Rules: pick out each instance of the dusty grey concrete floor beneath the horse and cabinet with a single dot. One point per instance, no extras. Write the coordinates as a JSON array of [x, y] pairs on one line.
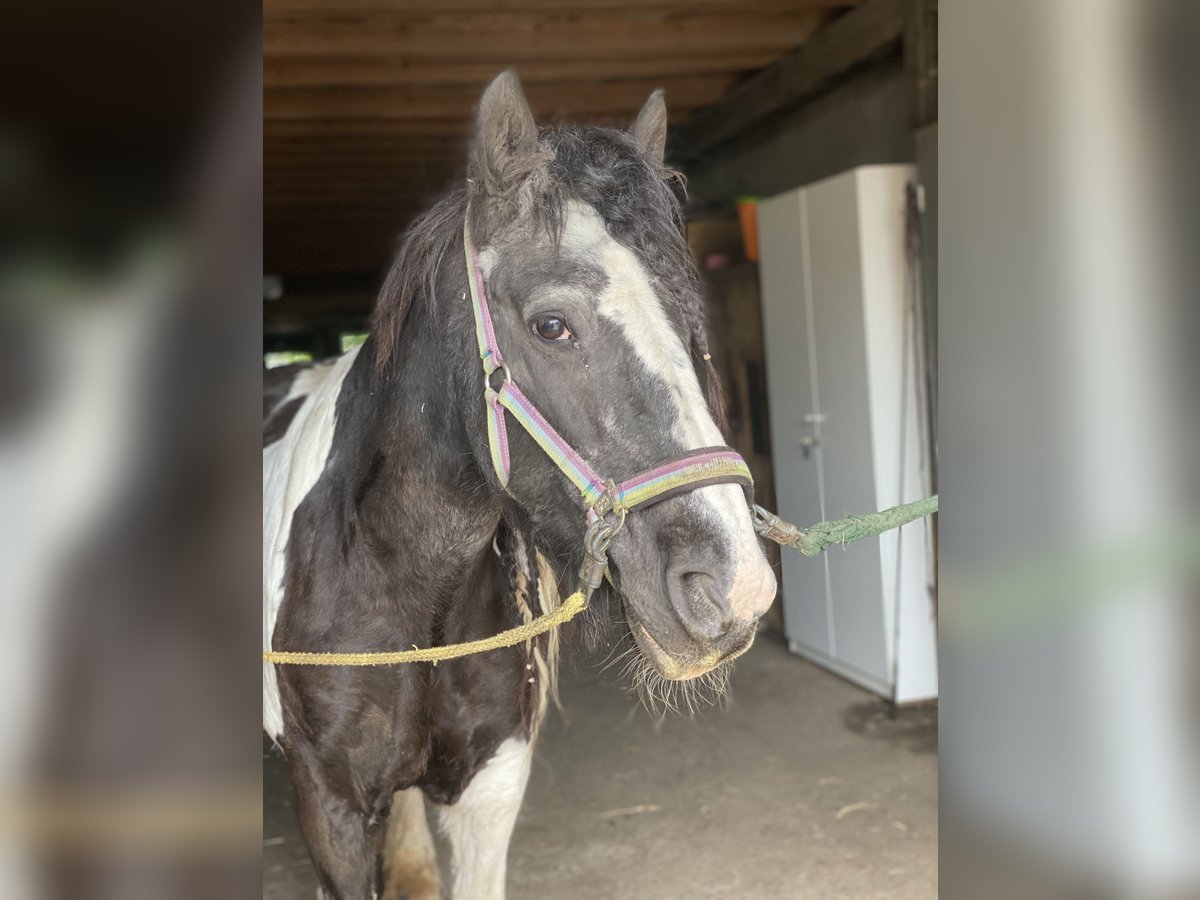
[[803, 788]]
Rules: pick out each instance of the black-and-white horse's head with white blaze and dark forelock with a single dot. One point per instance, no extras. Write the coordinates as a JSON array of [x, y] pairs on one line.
[[579, 242]]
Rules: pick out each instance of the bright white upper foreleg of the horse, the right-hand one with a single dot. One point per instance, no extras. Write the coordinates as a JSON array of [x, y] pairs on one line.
[[481, 824]]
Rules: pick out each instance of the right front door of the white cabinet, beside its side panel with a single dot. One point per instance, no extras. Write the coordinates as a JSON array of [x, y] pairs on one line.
[[837, 285]]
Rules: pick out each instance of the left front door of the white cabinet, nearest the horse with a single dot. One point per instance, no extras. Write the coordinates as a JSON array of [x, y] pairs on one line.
[[788, 339]]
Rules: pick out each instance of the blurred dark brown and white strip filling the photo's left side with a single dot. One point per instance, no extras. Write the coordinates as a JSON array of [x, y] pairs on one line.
[[130, 269]]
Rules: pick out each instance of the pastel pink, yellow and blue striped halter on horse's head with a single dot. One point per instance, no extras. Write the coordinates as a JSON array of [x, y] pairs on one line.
[[599, 496]]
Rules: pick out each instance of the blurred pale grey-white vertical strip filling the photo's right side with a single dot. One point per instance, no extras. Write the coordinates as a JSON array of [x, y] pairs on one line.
[[1070, 537]]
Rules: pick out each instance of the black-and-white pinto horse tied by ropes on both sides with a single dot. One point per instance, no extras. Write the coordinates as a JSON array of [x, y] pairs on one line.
[[400, 511]]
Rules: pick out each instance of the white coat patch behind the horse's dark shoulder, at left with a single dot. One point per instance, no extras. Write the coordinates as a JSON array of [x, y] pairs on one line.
[[291, 467]]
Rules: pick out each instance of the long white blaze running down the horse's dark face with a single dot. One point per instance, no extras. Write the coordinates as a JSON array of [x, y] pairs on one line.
[[629, 301]]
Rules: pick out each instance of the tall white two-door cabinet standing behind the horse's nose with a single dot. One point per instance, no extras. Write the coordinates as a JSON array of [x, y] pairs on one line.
[[848, 425]]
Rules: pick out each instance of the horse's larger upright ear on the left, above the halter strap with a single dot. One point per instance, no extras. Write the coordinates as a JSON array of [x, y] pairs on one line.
[[506, 145]]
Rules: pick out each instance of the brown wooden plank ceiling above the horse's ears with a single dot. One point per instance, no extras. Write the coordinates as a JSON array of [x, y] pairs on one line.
[[368, 104]]
